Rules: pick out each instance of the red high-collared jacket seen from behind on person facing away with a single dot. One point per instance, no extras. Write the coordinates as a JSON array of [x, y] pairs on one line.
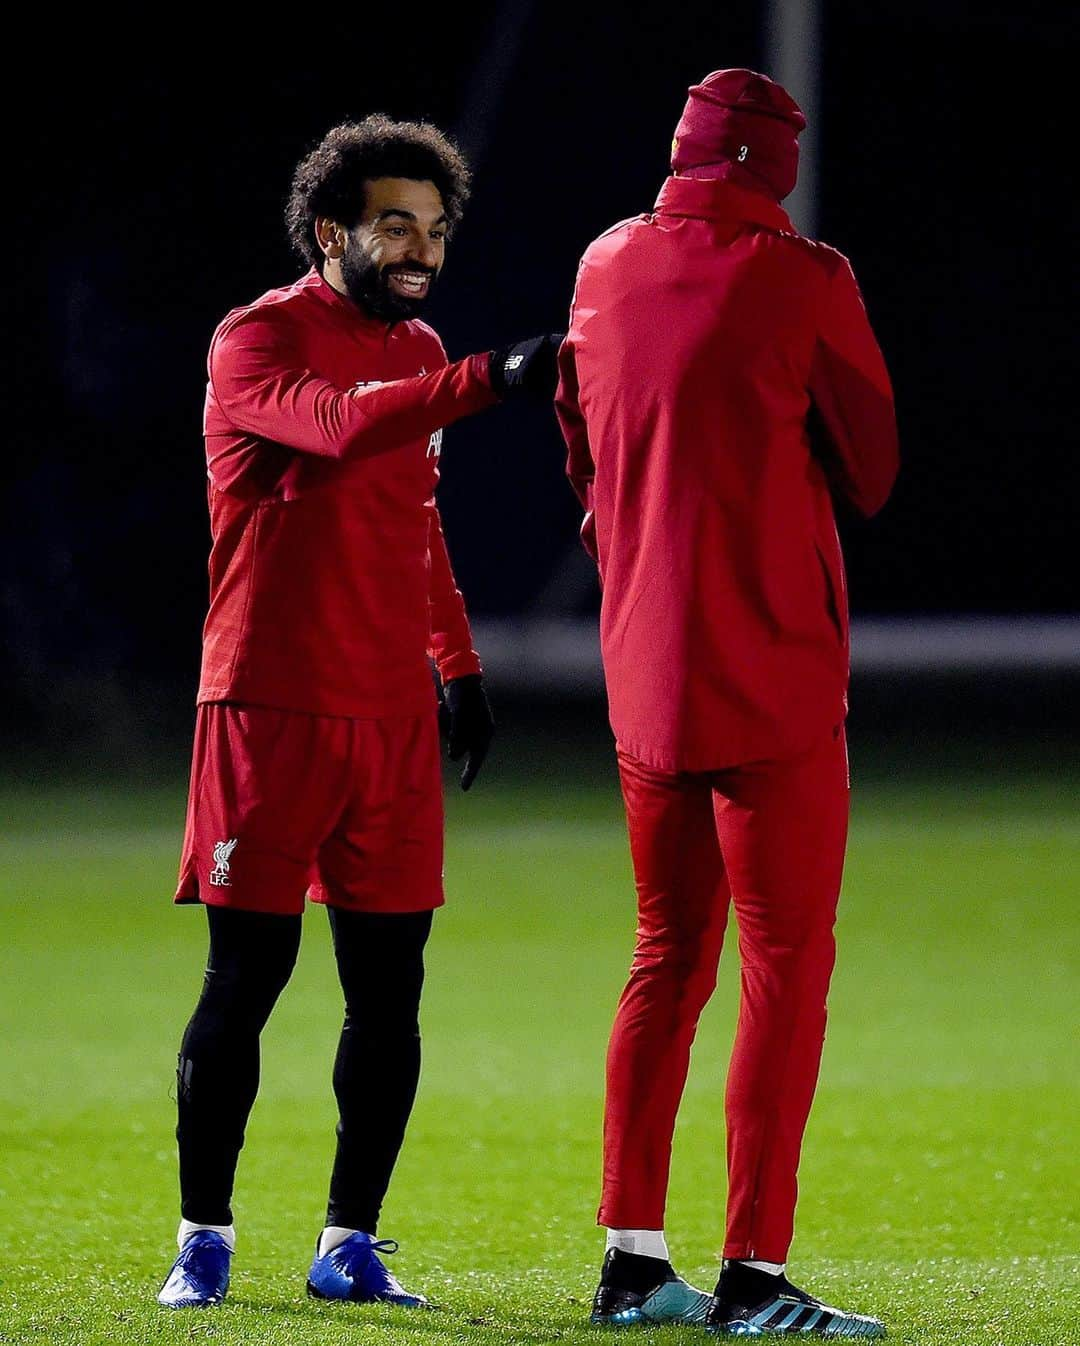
[[704, 340]]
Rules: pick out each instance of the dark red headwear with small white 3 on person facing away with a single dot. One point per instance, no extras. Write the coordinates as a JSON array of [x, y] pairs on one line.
[[741, 127]]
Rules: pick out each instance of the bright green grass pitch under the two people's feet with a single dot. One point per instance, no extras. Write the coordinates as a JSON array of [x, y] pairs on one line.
[[939, 1176]]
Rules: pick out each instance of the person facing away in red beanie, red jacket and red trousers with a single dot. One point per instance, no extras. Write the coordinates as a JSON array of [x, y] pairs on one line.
[[721, 386]]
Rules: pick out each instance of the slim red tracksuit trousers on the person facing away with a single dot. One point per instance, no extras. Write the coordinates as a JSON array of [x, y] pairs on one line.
[[768, 838]]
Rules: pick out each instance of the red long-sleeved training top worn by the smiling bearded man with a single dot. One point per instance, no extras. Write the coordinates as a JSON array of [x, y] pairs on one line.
[[329, 577]]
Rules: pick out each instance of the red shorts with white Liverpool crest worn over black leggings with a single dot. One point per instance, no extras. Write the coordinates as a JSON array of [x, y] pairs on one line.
[[285, 806]]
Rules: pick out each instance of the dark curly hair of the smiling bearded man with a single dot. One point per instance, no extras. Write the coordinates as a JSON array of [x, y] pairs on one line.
[[331, 181]]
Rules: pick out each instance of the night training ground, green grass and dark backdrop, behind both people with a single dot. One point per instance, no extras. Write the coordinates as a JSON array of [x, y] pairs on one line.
[[941, 1180]]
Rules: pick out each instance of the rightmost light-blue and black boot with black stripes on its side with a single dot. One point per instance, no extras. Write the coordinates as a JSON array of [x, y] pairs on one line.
[[749, 1302]]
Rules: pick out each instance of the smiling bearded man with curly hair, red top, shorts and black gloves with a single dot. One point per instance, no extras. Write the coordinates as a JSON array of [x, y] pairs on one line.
[[317, 749]]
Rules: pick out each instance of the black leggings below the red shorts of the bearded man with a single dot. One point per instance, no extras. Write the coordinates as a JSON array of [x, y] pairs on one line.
[[382, 968]]
